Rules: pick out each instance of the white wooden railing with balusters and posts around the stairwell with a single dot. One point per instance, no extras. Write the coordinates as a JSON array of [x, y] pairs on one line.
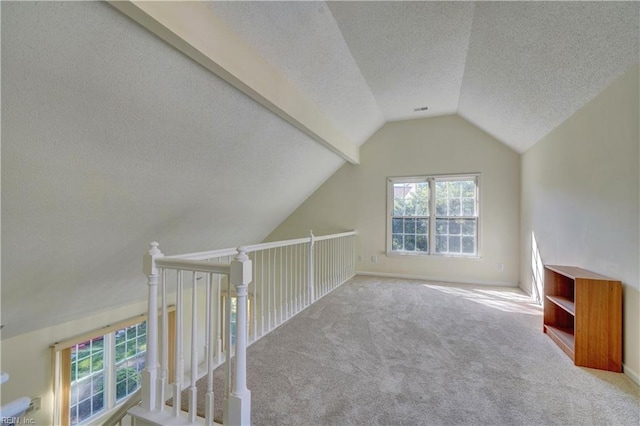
[[271, 283]]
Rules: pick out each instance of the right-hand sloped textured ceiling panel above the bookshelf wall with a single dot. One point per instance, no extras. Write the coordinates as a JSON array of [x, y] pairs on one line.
[[532, 65]]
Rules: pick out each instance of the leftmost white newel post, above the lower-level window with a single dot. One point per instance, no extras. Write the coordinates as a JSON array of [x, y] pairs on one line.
[[150, 372]]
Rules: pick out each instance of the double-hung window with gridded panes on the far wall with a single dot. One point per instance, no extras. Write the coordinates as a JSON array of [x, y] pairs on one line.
[[433, 215]]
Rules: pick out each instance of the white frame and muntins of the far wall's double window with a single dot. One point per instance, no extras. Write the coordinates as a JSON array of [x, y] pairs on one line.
[[431, 179]]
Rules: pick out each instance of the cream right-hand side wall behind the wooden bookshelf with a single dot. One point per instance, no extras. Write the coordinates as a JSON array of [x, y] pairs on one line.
[[580, 198]]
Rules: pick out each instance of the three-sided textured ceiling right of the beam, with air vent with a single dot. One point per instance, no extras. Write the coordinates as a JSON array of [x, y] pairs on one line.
[[515, 69]]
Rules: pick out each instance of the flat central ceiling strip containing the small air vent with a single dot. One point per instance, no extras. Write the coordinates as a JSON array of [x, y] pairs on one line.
[[415, 56]]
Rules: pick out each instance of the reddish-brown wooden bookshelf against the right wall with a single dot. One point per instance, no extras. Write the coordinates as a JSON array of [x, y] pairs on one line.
[[583, 316]]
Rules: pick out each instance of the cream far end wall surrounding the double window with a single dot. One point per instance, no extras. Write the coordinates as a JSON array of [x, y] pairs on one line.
[[355, 198]]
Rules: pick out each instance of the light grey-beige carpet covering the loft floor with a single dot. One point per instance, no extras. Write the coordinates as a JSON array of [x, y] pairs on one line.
[[398, 352]]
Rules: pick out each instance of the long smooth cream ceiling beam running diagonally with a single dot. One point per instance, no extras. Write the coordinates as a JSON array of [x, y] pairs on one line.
[[193, 29]]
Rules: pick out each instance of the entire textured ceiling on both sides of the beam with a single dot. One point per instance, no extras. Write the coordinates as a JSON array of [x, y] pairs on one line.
[[111, 138]]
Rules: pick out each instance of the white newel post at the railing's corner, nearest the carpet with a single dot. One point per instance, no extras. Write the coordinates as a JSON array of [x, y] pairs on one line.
[[238, 405]]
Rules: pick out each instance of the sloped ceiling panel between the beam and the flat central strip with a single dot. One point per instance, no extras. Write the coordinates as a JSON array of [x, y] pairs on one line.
[[303, 40]]
